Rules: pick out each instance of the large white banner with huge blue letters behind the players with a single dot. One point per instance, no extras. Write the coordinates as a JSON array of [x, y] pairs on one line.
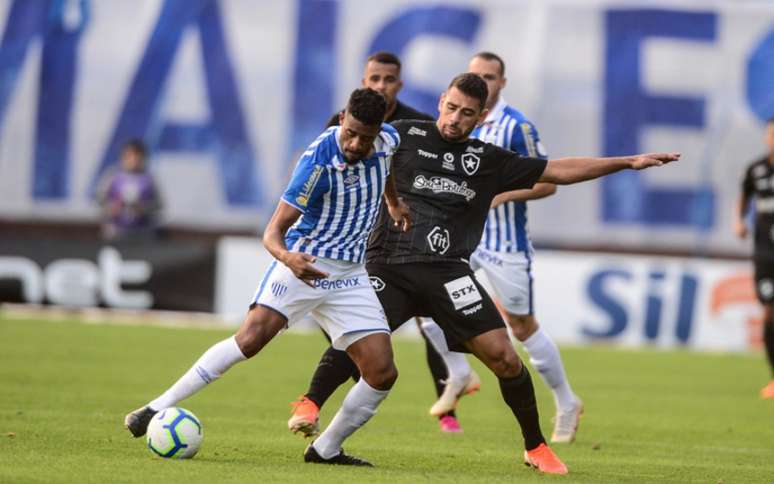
[[226, 93]]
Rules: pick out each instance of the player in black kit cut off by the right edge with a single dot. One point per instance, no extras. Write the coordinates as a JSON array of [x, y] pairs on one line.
[[758, 183]]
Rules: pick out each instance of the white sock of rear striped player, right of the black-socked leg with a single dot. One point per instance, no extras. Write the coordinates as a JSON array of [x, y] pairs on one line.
[[544, 356]]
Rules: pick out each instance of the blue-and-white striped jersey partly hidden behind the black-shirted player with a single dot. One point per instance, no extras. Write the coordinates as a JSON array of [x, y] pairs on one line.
[[506, 224]]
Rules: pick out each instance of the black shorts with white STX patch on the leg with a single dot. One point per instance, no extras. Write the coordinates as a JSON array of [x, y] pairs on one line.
[[448, 292]]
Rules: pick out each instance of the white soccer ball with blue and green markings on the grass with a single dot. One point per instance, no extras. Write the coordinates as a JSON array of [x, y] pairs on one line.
[[175, 433]]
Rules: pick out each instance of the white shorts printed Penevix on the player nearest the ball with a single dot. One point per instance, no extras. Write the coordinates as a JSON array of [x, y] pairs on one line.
[[344, 305]]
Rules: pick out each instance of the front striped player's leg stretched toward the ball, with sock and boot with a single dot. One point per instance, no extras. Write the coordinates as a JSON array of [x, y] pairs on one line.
[[260, 325]]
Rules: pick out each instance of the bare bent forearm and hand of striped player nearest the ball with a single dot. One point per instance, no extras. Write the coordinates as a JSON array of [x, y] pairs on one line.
[[274, 240]]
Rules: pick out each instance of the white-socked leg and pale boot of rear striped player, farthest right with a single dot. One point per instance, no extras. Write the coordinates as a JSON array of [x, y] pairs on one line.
[[545, 358]]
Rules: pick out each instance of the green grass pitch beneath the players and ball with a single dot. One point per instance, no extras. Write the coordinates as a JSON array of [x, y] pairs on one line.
[[650, 416]]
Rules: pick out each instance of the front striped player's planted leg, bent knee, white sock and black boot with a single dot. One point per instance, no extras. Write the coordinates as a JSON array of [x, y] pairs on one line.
[[373, 356]]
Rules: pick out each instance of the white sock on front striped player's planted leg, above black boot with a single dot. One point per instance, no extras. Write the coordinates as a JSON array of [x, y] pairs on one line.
[[357, 408]]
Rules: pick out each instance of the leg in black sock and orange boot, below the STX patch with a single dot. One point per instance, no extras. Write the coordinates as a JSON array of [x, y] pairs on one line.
[[495, 350]]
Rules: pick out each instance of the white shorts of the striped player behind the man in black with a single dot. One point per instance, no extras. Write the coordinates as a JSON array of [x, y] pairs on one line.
[[510, 277]]
